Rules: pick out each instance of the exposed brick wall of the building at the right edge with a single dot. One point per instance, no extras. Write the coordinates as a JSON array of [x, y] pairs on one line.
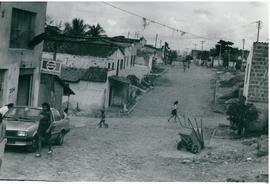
[[258, 81]]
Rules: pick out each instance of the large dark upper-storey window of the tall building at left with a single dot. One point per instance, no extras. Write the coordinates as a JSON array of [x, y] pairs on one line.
[[22, 28]]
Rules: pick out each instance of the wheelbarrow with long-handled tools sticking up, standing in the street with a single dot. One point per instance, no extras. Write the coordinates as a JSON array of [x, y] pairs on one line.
[[191, 138]]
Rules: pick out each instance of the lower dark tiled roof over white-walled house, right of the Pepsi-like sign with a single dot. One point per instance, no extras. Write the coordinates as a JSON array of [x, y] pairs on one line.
[[92, 74]]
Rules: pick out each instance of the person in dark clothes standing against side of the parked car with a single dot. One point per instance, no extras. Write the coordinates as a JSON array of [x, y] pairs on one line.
[[45, 128]]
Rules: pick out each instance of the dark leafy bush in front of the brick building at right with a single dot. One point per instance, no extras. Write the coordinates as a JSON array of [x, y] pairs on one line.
[[240, 114]]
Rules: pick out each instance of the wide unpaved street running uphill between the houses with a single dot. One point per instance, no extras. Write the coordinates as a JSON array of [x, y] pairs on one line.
[[142, 147]]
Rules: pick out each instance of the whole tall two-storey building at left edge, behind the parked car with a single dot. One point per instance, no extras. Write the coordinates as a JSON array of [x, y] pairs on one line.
[[20, 61]]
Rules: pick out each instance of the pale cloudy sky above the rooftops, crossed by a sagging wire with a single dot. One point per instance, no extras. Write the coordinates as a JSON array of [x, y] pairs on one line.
[[212, 20]]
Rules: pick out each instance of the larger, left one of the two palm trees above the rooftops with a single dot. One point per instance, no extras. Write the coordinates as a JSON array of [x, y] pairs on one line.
[[76, 28]]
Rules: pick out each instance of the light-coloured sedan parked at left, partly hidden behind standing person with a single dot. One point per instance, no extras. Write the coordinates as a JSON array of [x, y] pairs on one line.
[[22, 124]]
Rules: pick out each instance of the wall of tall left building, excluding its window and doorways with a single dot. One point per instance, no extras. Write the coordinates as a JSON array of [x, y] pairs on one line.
[[12, 59]]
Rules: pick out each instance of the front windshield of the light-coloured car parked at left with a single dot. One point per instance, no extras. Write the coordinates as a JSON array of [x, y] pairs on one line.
[[25, 113]]
